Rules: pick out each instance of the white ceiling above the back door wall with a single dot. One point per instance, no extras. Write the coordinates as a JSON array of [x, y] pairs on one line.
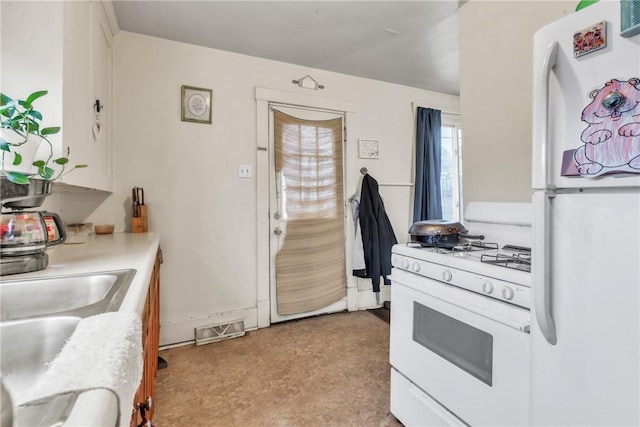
[[413, 43]]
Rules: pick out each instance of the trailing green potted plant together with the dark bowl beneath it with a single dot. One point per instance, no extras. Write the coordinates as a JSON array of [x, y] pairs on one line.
[[26, 181]]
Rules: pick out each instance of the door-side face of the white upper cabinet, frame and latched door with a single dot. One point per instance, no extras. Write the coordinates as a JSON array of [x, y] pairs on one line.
[[87, 82]]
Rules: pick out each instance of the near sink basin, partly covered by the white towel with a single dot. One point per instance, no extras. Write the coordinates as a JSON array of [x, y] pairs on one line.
[[28, 346]]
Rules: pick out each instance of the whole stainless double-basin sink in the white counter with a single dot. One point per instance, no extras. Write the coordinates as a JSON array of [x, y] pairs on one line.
[[39, 315]]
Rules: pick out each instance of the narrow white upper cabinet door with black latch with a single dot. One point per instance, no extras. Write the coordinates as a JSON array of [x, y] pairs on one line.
[[101, 80]]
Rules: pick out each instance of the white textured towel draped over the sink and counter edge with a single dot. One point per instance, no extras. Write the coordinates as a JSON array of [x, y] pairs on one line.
[[105, 351]]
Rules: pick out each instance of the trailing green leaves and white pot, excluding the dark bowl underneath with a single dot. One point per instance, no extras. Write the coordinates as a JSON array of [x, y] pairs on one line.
[[21, 136]]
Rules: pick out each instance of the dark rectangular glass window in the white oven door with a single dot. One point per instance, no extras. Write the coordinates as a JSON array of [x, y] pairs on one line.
[[465, 346]]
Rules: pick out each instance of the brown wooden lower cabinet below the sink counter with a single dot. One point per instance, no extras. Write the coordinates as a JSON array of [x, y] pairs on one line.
[[144, 402]]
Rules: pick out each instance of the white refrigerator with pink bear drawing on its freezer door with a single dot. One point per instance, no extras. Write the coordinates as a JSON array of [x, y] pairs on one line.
[[585, 334]]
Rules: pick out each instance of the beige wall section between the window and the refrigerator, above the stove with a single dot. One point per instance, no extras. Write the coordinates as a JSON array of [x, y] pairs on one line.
[[495, 94]]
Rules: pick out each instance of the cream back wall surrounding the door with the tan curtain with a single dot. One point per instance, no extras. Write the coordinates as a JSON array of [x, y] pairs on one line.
[[205, 214]]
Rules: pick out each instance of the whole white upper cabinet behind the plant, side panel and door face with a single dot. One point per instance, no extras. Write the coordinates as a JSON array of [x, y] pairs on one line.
[[65, 47]]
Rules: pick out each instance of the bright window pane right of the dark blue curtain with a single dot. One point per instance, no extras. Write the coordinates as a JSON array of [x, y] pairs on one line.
[[451, 170]]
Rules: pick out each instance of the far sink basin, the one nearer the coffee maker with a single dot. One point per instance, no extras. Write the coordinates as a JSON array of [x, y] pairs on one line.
[[79, 295]]
